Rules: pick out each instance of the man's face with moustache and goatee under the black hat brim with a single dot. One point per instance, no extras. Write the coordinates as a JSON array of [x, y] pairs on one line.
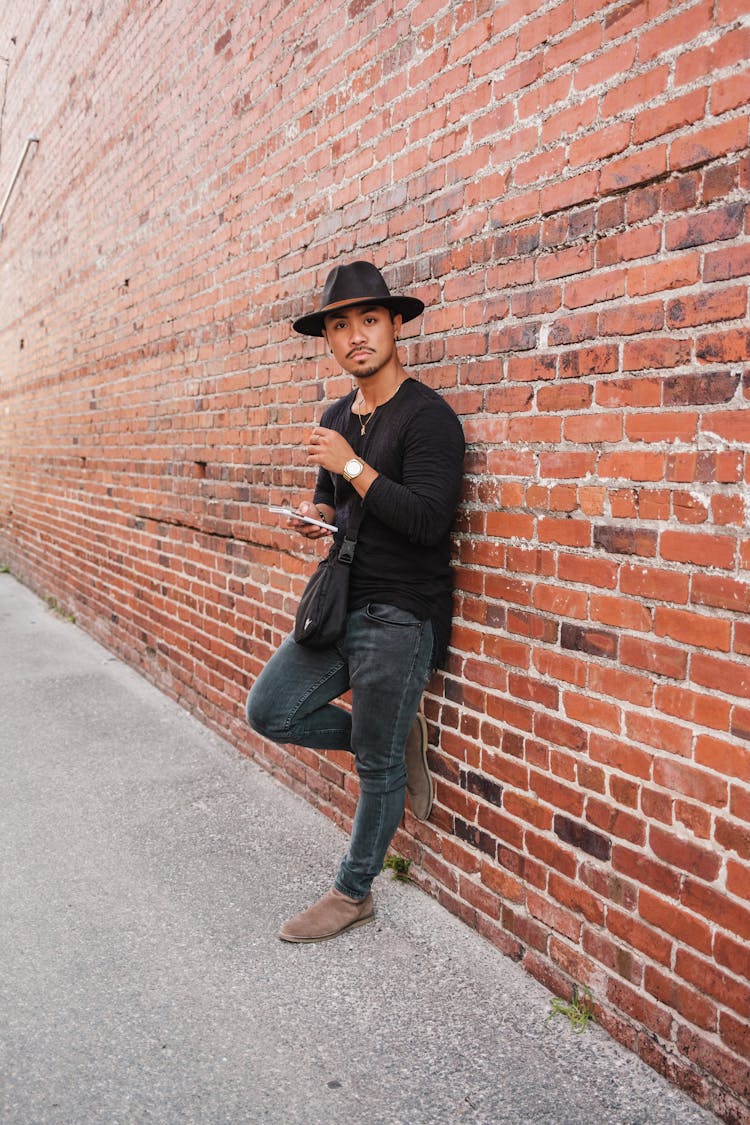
[[363, 339]]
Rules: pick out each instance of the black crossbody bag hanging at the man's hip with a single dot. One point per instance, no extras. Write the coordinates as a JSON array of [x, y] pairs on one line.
[[322, 613]]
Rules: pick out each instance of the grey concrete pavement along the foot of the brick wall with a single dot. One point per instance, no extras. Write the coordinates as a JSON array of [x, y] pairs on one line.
[[146, 867]]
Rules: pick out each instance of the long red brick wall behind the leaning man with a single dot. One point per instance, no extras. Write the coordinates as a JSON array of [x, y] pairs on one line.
[[565, 185]]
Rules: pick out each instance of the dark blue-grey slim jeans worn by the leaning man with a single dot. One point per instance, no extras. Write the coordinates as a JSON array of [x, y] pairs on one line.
[[385, 658]]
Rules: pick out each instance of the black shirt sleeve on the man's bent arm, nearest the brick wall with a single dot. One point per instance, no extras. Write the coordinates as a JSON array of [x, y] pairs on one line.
[[423, 506]]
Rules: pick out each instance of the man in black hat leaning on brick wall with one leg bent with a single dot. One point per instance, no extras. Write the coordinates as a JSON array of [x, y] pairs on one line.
[[399, 447]]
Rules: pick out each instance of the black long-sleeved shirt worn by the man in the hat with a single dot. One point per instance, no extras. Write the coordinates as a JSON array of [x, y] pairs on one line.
[[415, 443]]
